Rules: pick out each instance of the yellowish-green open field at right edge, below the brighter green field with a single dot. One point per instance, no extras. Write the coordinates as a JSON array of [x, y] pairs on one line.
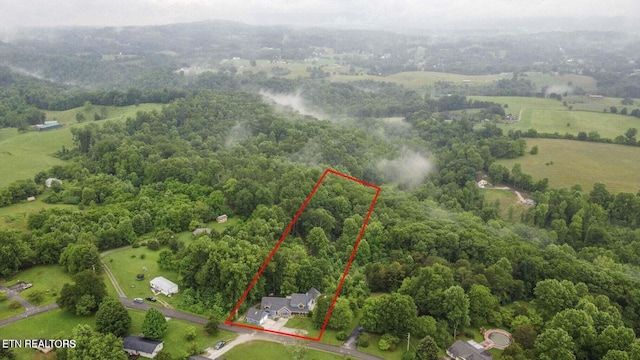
[[584, 163]]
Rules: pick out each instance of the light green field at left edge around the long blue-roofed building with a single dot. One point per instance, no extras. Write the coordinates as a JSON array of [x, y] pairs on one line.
[[25, 154]]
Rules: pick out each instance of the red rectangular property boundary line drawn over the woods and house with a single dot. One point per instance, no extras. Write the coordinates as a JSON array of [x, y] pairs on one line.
[[285, 234]]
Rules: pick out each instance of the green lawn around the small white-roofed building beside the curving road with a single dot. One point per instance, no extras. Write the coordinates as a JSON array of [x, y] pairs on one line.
[[125, 267]]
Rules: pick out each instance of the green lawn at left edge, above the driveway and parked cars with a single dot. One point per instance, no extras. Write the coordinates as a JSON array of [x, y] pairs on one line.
[[46, 278]]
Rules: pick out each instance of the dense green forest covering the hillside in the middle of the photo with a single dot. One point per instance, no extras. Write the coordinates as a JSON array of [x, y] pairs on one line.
[[567, 270]]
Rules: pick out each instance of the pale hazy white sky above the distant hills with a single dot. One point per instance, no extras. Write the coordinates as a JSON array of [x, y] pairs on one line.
[[352, 13]]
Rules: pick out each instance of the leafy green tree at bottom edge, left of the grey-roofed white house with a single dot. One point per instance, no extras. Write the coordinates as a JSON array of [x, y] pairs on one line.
[[93, 345]]
